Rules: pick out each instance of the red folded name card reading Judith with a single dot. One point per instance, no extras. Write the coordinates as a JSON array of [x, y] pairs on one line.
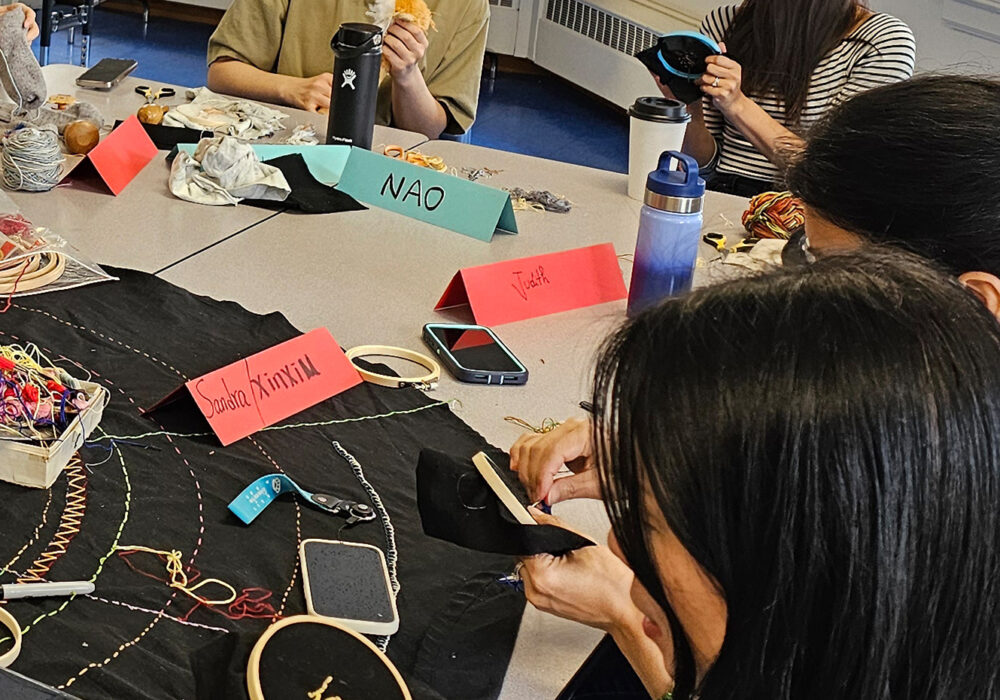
[[516, 290]]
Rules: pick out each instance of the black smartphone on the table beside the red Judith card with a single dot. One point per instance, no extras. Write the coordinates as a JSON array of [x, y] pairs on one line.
[[474, 354]]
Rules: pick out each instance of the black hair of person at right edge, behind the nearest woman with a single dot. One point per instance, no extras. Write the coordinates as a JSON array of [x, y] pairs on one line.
[[917, 164]]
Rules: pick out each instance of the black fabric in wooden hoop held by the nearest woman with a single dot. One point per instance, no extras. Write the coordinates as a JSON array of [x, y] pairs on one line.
[[457, 505]]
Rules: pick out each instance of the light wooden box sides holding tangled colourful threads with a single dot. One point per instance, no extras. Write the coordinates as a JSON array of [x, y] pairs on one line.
[[39, 465]]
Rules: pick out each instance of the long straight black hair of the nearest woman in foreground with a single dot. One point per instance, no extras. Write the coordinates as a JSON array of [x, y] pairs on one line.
[[825, 442]]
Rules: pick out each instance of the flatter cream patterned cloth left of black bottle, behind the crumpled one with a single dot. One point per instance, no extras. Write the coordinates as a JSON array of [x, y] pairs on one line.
[[225, 115]]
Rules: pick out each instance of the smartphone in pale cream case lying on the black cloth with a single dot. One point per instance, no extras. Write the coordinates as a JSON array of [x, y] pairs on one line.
[[349, 583]]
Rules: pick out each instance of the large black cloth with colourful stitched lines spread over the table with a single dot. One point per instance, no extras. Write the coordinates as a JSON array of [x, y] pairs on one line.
[[141, 338]]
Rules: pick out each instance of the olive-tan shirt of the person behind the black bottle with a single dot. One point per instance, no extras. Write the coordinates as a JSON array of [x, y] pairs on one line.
[[292, 37]]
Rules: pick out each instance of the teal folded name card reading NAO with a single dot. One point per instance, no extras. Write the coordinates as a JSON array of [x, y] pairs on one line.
[[427, 195]]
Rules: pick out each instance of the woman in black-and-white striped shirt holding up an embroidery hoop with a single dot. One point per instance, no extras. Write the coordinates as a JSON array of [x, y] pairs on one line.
[[785, 64]]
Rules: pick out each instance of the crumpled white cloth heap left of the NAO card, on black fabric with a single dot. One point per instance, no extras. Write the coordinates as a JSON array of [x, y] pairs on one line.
[[225, 170]]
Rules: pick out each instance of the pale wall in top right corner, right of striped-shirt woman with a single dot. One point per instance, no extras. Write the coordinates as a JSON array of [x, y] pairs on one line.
[[940, 46]]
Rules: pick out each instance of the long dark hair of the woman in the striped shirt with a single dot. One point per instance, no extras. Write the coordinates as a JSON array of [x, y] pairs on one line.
[[779, 43]]
